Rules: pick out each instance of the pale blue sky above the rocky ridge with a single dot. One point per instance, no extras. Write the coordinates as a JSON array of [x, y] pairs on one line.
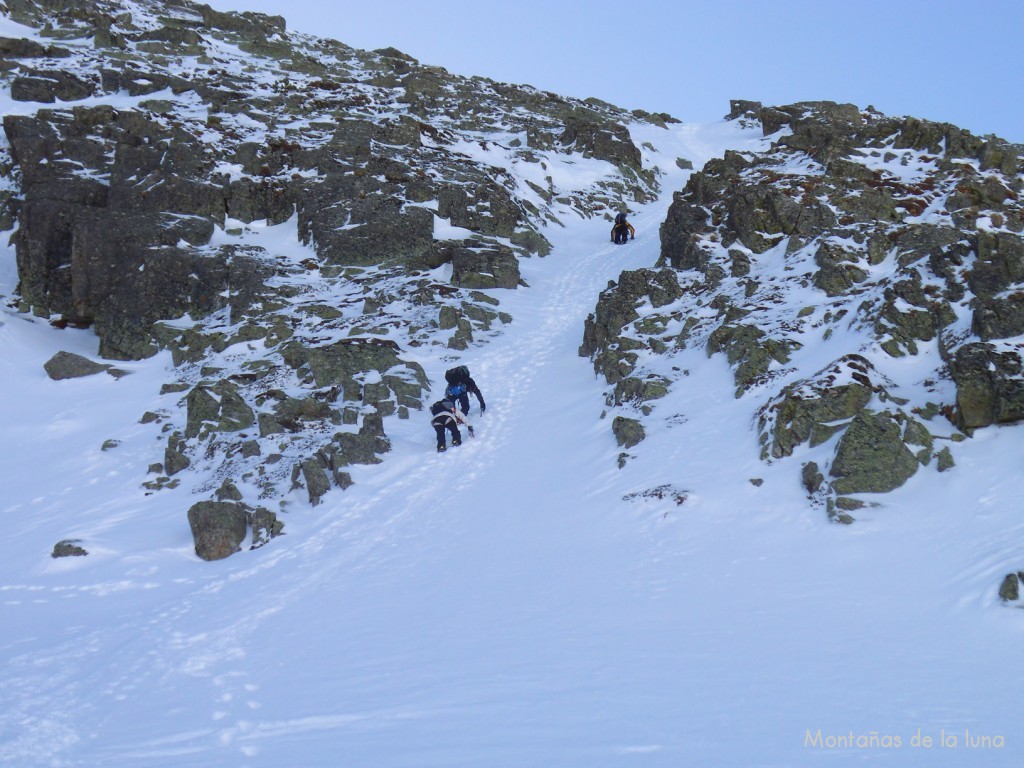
[[941, 60]]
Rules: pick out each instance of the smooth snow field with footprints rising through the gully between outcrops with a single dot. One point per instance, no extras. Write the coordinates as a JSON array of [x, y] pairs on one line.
[[506, 604]]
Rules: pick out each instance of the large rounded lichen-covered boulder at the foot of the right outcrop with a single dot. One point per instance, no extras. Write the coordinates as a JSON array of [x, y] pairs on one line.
[[872, 457]]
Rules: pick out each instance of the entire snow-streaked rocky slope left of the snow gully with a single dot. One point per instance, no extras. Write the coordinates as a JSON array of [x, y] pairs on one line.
[[289, 218]]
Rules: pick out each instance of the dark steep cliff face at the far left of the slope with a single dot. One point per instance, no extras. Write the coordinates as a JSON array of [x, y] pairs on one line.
[[109, 253]]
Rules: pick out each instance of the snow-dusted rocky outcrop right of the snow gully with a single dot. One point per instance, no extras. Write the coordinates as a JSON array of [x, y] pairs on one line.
[[852, 237]]
